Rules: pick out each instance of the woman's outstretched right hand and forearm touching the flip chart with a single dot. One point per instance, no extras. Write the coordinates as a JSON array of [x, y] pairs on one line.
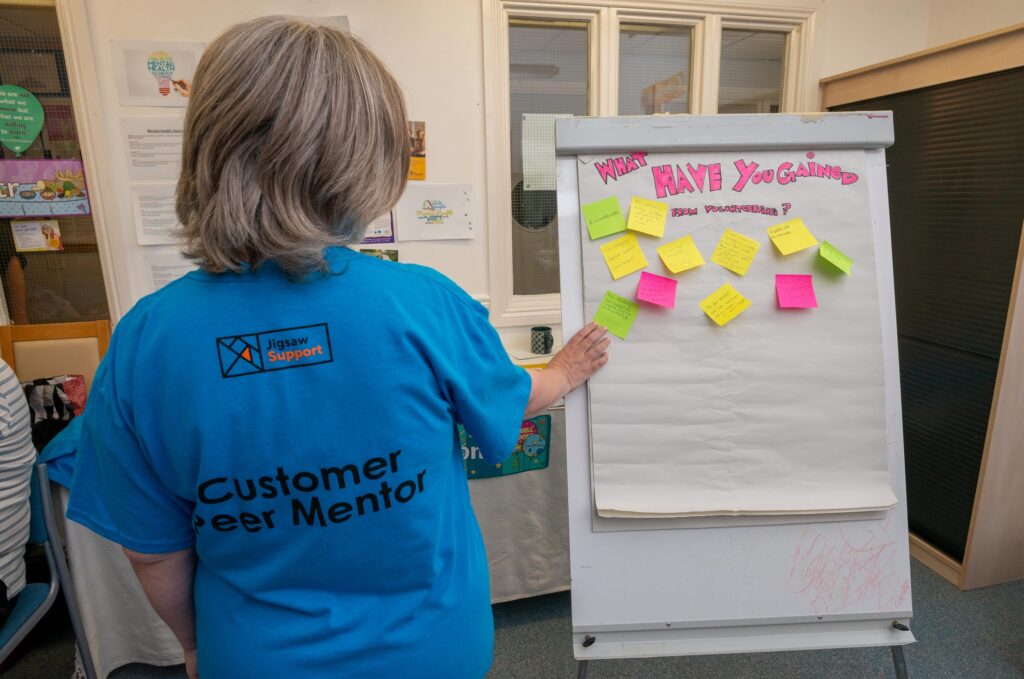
[[581, 358]]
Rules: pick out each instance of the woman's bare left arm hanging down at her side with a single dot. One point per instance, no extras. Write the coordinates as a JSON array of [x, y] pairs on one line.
[[167, 581]]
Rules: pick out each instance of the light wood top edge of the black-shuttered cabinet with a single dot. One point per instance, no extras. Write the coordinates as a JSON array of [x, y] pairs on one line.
[[994, 52]]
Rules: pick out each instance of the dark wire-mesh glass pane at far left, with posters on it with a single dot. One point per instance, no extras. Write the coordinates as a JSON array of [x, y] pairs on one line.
[[51, 274]]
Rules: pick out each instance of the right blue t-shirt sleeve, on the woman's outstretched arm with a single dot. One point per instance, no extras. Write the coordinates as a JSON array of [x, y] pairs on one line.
[[488, 391]]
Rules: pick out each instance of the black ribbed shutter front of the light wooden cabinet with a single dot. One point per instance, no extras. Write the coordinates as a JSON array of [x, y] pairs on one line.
[[957, 203]]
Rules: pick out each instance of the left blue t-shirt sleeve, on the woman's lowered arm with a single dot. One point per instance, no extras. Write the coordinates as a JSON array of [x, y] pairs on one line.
[[117, 492]]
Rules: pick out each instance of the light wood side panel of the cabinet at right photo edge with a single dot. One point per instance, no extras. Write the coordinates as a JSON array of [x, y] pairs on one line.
[[996, 543]]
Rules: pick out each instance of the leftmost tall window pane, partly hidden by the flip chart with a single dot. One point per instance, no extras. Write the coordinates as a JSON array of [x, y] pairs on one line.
[[548, 74]]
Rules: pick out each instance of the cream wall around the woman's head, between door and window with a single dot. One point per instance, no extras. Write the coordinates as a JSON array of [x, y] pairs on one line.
[[434, 50]]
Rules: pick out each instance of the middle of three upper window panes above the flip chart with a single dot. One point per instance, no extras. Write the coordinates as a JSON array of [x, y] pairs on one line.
[[654, 69]]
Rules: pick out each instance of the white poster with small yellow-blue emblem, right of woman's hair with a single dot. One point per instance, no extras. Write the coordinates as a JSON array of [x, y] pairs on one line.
[[435, 213]]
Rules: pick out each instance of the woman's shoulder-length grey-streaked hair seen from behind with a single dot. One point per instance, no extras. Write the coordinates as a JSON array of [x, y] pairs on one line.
[[295, 139]]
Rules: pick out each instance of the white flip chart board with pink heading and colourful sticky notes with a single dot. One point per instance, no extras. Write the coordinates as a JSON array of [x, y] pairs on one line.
[[735, 487]]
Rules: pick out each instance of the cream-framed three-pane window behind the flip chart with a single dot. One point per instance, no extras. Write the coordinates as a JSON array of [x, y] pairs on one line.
[[544, 60]]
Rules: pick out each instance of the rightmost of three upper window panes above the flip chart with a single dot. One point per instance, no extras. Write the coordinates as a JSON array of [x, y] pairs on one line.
[[752, 69]]
